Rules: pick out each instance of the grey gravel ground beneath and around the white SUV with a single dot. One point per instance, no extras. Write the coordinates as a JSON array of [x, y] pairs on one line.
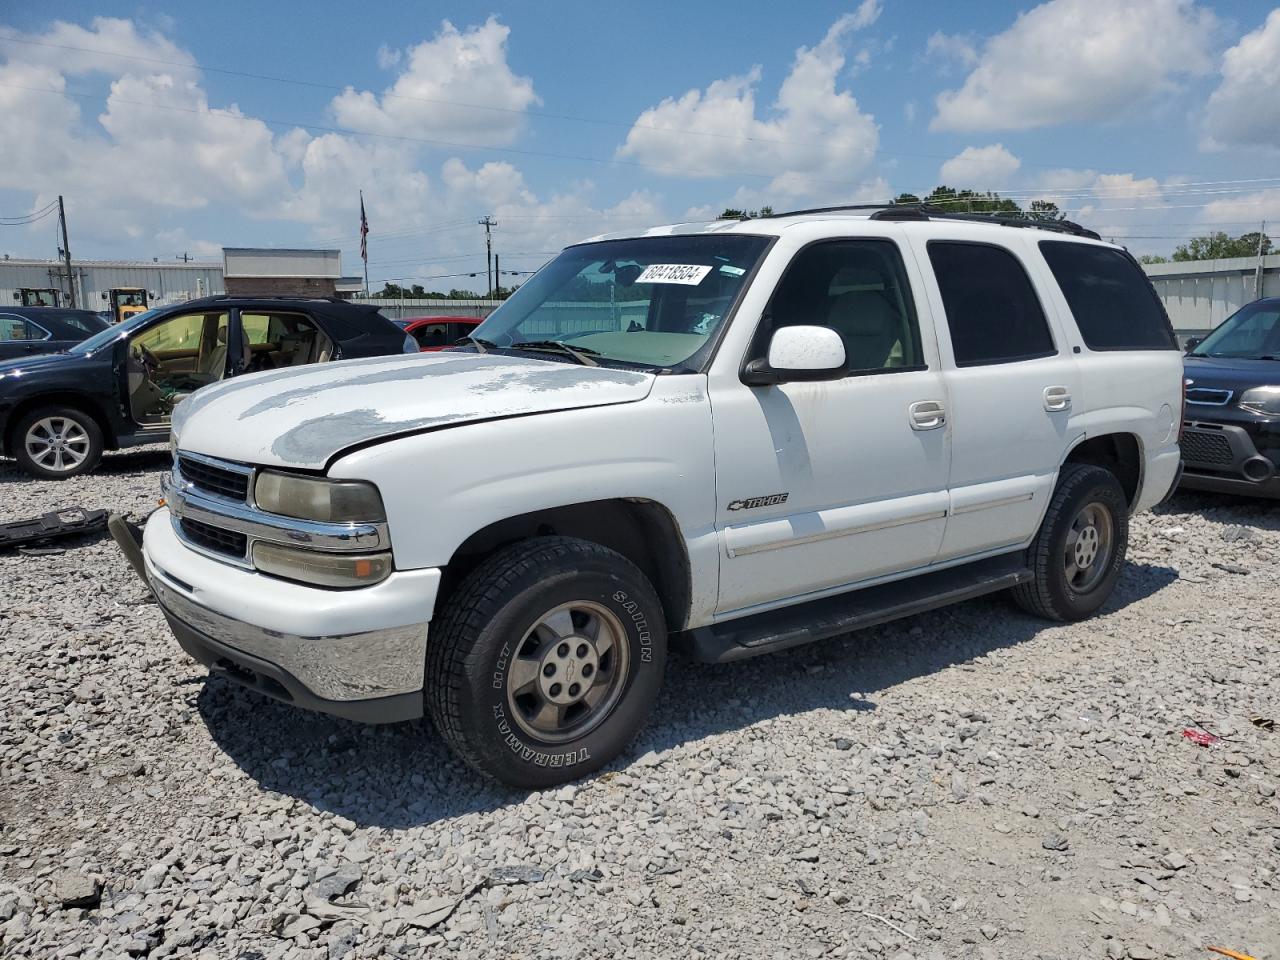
[[967, 784]]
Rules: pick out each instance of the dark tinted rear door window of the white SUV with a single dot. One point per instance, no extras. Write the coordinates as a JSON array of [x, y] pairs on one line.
[[993, 310]]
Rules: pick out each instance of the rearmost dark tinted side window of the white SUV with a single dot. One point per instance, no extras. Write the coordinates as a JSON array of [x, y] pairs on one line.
[[1110, 298]]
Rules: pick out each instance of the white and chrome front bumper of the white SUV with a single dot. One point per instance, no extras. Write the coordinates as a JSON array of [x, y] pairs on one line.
[[351, 653]]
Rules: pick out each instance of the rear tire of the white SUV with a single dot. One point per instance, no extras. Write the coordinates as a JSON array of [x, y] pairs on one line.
[[1053, 593]]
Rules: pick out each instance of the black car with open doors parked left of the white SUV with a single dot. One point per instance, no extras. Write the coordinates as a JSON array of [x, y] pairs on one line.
[[118, 388]]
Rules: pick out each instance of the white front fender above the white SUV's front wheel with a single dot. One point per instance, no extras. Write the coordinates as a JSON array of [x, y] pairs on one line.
[[442, 487]]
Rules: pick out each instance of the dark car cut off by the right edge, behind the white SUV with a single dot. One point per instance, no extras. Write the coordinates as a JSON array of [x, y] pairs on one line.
[[1232, 431]]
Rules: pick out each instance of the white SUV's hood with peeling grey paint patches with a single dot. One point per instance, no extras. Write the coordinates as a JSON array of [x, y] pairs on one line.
[[305, 417]]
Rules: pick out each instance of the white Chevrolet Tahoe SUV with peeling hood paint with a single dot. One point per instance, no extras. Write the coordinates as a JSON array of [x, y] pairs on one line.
[[739, 437]]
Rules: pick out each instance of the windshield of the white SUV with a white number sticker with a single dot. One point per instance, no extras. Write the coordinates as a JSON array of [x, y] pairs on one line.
[[653, 301]]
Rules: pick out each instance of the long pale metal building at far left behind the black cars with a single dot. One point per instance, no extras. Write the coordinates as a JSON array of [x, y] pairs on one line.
[[164, 282]]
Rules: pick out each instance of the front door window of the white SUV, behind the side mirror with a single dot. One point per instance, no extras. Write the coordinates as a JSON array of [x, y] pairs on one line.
[[860, 290]]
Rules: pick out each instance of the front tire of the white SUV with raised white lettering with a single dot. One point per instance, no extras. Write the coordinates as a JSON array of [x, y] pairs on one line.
[[490, 624]]
